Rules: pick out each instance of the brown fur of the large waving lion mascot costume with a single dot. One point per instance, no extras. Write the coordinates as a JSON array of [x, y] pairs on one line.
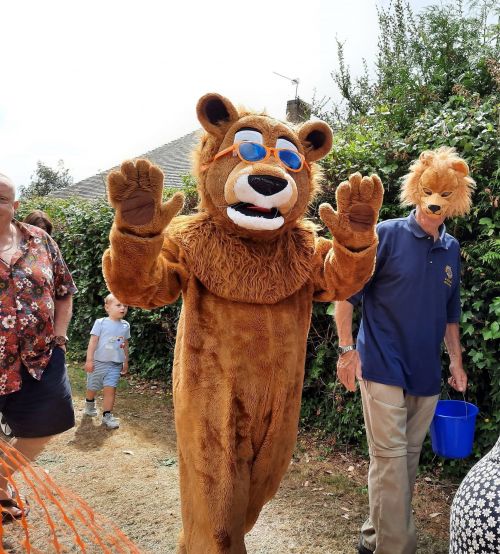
[[247, 301]]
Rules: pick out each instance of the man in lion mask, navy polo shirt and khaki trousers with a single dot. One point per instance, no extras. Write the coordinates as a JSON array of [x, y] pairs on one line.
[[411, 303]]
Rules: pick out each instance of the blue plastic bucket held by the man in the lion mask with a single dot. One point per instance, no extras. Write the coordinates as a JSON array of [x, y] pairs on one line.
[[452, 429]]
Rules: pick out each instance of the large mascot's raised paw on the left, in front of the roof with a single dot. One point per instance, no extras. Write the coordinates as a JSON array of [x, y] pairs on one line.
[[135, 191]]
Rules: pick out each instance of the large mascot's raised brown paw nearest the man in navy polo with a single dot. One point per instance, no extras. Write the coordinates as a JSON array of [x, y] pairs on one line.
[[358, 203]]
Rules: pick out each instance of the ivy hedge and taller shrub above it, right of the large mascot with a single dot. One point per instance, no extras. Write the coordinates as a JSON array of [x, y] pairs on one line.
[[437, 84]]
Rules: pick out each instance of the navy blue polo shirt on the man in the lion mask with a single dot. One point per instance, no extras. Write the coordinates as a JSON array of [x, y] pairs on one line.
[[412, 295]]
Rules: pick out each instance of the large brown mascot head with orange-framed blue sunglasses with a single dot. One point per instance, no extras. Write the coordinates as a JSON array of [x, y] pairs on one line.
[[256, 174]]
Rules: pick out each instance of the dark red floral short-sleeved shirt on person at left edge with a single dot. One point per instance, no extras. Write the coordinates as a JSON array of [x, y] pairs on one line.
[[36, 276]]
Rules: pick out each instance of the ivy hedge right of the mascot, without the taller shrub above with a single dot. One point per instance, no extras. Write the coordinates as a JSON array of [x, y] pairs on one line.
[[370, 146]]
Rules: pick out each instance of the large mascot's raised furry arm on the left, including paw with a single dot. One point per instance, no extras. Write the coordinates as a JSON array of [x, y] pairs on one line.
[[142, 267]]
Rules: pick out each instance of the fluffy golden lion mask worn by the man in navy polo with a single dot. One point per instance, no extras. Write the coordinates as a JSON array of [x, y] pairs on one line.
[[438, 182]]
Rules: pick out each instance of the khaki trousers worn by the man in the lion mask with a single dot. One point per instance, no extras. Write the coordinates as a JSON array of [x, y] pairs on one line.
[[396, 424]]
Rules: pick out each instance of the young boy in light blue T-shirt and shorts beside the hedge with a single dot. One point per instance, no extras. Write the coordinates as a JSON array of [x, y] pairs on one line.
[[107, 359]]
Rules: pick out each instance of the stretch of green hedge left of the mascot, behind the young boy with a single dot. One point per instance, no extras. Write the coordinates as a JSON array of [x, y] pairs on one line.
[[81, 228]]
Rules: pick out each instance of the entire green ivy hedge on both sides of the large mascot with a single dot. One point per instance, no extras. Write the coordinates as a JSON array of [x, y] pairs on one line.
[[81, 228]]
